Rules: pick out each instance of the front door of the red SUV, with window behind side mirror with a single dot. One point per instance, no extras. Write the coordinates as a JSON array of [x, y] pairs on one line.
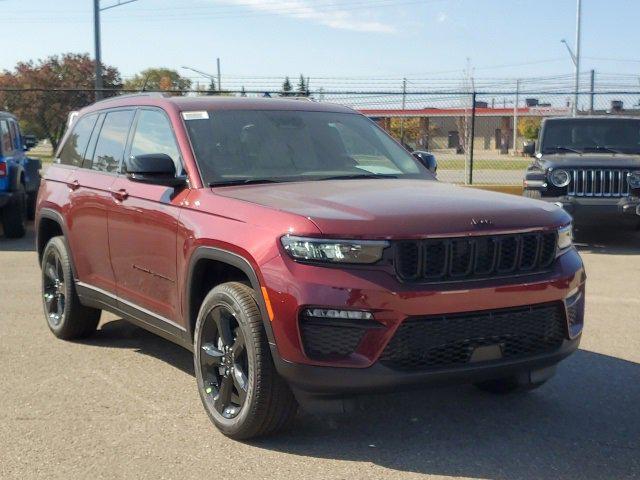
[[143, 224]]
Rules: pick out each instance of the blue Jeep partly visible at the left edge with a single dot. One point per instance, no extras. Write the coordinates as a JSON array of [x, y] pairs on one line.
[[19, 177]]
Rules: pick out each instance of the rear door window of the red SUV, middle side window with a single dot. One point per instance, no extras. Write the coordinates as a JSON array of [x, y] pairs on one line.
[[112, 140]]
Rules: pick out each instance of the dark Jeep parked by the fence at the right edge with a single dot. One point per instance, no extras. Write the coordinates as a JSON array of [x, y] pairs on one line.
[[588, 165]]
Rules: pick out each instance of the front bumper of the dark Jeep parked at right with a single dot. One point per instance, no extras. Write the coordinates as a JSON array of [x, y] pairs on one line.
[[595, 209]]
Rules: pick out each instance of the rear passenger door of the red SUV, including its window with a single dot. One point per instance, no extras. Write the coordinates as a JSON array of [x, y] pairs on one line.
[[91, 198]]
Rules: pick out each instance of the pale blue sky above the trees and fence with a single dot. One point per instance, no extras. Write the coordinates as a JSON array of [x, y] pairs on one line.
[[332, 38]]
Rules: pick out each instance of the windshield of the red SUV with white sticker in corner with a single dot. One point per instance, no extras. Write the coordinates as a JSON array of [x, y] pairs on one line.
[[252, 146]]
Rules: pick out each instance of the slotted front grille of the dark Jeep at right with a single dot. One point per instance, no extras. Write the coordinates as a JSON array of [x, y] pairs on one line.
[[598, 183]]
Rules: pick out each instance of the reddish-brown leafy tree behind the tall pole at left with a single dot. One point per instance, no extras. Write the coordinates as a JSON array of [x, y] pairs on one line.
[[59, 84]]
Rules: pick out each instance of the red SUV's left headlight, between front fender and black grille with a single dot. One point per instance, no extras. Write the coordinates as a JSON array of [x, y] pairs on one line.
[[333, 251]]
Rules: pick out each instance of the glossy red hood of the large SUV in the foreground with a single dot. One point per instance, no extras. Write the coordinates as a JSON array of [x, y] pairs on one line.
[[398, 208]]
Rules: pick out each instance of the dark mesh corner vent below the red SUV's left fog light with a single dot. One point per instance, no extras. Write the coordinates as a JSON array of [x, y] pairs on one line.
[[322, 340]]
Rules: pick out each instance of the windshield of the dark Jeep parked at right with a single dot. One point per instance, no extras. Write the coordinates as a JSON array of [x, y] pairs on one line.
[[591, 135]]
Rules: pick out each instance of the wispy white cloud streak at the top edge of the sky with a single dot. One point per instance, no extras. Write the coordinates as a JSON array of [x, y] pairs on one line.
[[330, 17]]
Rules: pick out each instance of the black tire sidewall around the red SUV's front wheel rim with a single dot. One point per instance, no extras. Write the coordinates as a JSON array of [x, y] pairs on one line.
[[215, 299]]
